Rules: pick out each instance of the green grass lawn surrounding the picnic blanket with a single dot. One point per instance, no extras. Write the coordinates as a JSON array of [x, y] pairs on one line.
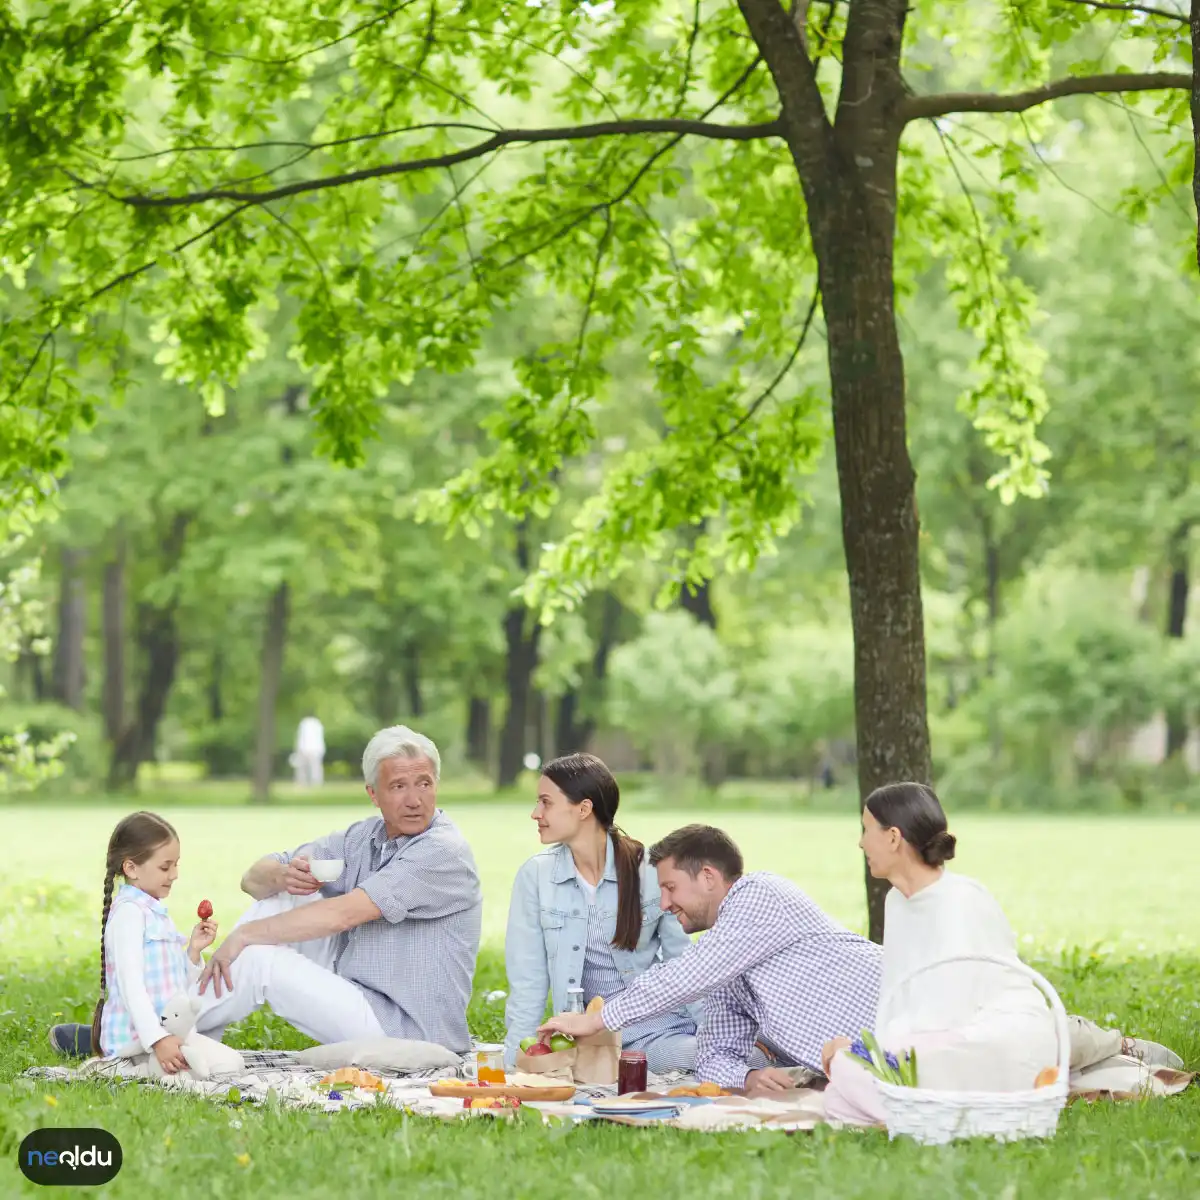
[[1106, 908]]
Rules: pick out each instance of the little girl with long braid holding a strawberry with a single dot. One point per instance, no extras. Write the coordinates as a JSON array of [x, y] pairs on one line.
[[145, 959]]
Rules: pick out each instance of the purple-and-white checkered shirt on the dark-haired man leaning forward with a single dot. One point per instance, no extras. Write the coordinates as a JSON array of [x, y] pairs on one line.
[[773, 968]]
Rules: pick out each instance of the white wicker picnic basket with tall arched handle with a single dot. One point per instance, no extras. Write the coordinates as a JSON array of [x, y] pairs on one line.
[[937, 1118]]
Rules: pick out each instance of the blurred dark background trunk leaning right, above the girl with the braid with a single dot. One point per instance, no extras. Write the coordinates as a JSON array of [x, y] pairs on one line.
[[159, 646]]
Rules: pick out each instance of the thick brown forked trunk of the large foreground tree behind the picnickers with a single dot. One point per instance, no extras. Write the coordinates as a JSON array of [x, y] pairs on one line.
[[848, 172]]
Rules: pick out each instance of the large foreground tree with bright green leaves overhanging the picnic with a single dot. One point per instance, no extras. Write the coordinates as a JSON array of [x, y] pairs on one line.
[[154, 154]]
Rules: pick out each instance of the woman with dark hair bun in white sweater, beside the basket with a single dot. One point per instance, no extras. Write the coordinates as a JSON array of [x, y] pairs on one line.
[[975, 1027]]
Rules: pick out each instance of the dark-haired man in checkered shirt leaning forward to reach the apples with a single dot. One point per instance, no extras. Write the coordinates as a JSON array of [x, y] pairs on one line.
[[779, 979]]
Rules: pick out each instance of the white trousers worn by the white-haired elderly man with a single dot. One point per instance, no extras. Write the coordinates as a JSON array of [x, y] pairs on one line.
[[297, 981]]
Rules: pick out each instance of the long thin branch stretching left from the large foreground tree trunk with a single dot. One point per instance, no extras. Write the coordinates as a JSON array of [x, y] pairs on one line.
[[683, 128]]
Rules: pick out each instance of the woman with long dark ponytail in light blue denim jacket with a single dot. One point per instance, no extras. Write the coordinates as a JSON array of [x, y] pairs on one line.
[[586, 914]]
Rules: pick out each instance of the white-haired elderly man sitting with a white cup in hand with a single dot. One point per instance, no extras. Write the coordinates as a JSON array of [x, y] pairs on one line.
[[388, 949]]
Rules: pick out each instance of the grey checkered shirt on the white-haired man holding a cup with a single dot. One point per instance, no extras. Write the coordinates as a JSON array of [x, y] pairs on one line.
[[416, 964]]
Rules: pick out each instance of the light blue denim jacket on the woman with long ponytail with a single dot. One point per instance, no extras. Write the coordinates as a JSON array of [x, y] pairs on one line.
[[548, 938]]
